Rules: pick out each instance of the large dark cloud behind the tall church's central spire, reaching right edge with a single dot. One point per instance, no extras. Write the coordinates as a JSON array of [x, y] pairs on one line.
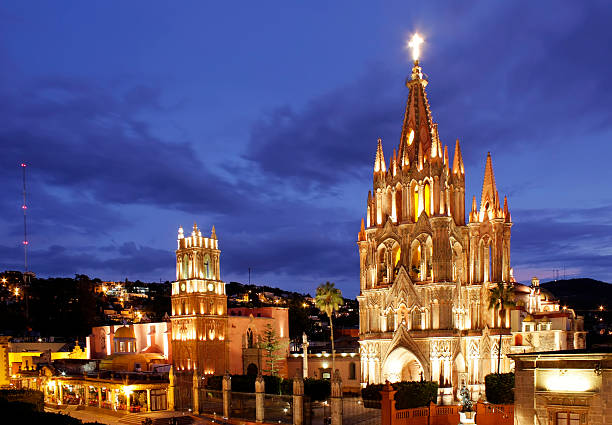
[[508, 88]]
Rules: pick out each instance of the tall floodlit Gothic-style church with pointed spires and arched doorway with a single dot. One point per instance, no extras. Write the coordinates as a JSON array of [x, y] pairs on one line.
[[425, 273]]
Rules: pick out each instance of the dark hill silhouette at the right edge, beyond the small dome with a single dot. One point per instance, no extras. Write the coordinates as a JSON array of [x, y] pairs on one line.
[[581, 294]]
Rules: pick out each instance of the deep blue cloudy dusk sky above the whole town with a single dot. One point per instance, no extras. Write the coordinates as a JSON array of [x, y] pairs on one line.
[[262, 118]]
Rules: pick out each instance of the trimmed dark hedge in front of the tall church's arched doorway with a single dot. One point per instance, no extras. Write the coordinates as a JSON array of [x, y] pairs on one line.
[[409, 394]]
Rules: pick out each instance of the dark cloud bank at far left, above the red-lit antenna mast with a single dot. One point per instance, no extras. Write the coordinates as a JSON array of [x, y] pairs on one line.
[[79, 137]]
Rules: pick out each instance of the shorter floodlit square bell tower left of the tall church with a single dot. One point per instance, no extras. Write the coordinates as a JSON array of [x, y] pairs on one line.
[[199, 306]]
